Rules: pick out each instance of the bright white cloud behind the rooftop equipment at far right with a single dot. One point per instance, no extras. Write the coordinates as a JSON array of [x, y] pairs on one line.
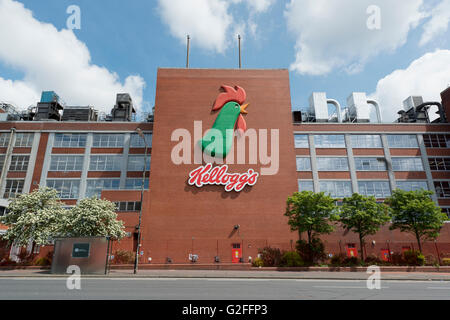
[[427, 76]]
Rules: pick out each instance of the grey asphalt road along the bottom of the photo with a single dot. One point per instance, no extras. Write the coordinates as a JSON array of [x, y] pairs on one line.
[[213, 289]]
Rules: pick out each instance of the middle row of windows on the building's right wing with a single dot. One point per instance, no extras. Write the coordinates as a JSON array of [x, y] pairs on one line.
[[361, 164]]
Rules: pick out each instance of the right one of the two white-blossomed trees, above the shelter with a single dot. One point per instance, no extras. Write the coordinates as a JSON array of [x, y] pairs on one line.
[[93, 217]]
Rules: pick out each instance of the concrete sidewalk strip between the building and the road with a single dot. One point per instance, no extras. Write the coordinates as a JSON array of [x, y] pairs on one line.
[[211, 274]]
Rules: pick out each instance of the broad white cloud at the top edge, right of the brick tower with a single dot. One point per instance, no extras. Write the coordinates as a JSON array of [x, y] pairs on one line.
[[334, 34]]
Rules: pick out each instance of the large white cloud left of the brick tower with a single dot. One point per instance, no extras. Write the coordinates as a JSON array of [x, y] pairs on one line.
[[55, 60]]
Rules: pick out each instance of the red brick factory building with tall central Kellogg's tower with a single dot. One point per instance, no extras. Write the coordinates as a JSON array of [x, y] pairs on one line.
[[342, 156]]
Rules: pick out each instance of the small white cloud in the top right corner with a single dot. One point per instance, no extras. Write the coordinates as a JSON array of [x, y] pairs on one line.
[[438, 23]]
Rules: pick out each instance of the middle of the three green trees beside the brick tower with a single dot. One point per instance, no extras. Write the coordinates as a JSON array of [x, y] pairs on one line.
[[362, 215]]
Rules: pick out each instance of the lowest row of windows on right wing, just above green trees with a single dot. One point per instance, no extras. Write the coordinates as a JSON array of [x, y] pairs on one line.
[[378, 189]]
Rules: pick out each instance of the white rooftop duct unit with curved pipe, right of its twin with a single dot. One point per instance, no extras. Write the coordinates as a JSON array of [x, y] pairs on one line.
[[359, 109]]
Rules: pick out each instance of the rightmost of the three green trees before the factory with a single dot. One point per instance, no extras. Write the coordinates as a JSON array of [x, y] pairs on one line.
[[415, 212]]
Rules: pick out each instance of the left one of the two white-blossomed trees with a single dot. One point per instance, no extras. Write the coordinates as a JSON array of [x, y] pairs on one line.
[[34, 216]]
